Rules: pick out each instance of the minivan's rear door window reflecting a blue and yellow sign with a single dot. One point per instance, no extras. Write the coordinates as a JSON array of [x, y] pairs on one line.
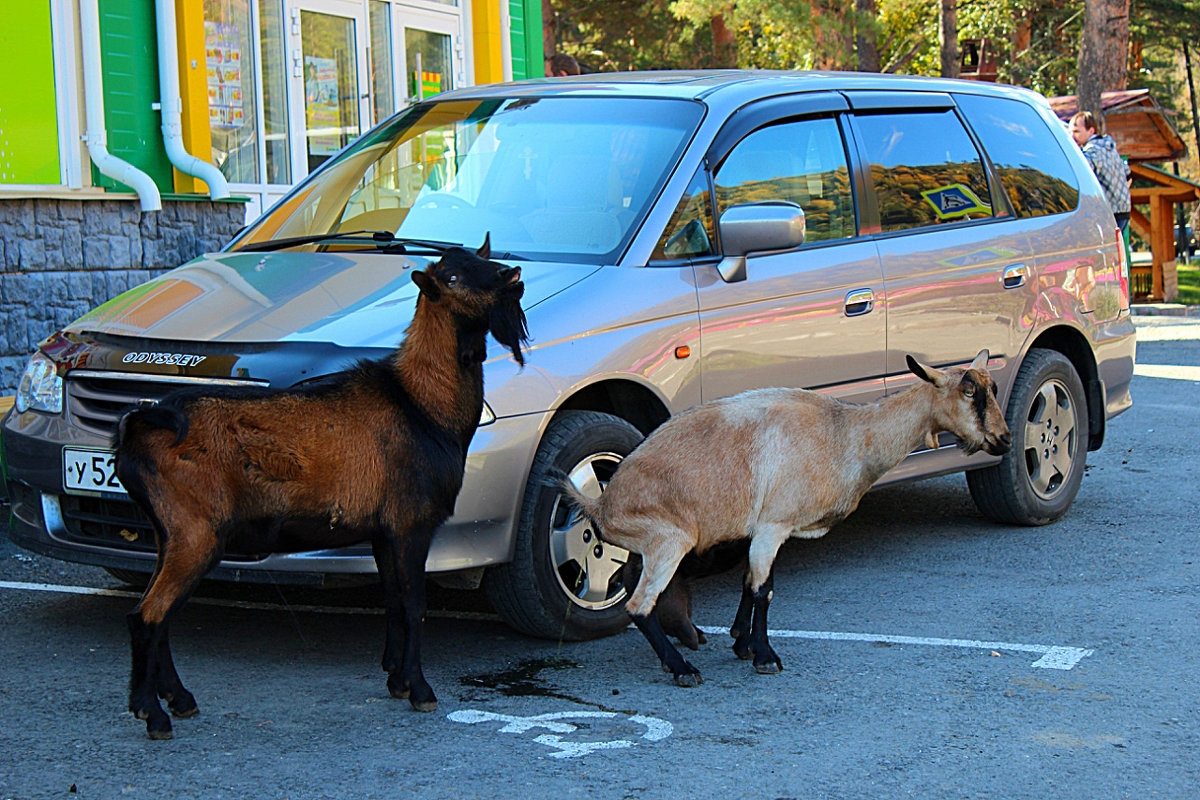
[[926, 170]]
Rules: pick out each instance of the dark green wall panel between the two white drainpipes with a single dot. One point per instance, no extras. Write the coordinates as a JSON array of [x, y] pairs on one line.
[[130, 65]]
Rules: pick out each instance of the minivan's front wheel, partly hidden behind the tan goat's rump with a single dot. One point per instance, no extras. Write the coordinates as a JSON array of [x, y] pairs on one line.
[[547, 592]]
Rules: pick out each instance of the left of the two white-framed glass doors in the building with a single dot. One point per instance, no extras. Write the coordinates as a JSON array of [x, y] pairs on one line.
[[328, 76]]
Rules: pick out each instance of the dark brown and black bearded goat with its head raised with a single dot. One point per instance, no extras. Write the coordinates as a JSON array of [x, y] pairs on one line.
[[374, 454]]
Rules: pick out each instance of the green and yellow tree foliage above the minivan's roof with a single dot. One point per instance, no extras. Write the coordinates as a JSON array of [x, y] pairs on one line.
[[1036, 43]]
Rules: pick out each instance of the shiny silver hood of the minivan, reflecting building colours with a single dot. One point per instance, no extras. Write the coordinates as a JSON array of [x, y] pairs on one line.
[[346, 299]]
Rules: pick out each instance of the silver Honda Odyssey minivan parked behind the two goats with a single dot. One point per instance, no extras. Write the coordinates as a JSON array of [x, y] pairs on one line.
[[682, 237]]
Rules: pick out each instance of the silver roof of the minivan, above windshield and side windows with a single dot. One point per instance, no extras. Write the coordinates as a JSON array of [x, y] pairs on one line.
[[728, 86]]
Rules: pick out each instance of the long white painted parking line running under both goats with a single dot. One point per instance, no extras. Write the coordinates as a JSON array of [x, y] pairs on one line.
[[1052, 657]]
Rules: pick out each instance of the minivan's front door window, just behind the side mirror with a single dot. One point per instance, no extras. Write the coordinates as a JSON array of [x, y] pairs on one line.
[[802, 163]]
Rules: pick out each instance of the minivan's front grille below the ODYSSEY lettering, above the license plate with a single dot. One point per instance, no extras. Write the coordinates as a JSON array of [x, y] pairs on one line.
[[98, 400]]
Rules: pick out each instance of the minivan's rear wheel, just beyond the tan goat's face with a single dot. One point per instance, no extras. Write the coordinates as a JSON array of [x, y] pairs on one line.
[[1037, 480]]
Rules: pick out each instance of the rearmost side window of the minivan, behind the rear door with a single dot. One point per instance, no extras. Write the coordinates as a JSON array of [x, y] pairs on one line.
[[1029, 160]]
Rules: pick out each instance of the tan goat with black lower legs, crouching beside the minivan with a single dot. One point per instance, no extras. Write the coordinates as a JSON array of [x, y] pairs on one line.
[[767, 466]]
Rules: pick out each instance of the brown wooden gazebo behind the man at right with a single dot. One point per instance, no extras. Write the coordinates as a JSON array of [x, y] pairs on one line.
[[1145, 135]]
